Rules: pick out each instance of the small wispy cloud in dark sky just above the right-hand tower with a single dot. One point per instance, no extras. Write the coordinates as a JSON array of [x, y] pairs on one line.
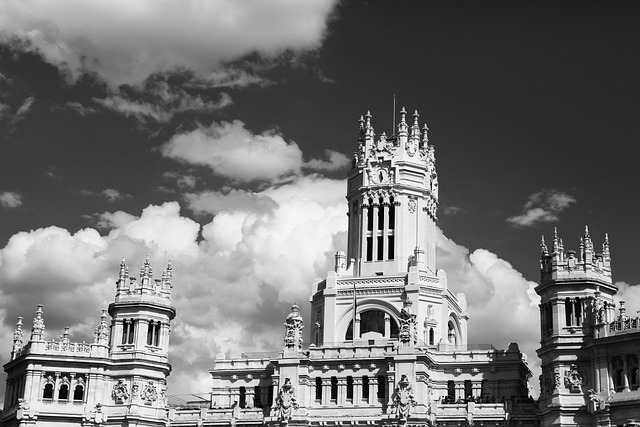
[[542, 207]]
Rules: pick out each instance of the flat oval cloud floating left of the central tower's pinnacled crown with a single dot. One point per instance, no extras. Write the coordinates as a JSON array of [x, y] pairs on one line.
[[232, 151]]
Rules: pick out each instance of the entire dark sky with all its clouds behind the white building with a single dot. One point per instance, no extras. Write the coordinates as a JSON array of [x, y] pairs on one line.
[[218, 135]]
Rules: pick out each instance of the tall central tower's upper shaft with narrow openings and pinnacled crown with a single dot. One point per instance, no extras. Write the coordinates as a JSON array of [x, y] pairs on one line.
[[393, 198]]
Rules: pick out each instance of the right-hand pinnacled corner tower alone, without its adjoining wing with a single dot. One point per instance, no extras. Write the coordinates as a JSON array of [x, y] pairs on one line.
[[576, 292]]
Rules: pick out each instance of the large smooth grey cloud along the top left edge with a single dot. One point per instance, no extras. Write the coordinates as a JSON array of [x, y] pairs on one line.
[[125, 42]]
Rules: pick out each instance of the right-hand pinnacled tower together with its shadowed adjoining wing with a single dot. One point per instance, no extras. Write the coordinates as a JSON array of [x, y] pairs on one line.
[[590, 355]]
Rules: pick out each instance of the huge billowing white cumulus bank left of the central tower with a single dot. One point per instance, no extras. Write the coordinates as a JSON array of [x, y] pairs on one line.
[[235, 276]]
